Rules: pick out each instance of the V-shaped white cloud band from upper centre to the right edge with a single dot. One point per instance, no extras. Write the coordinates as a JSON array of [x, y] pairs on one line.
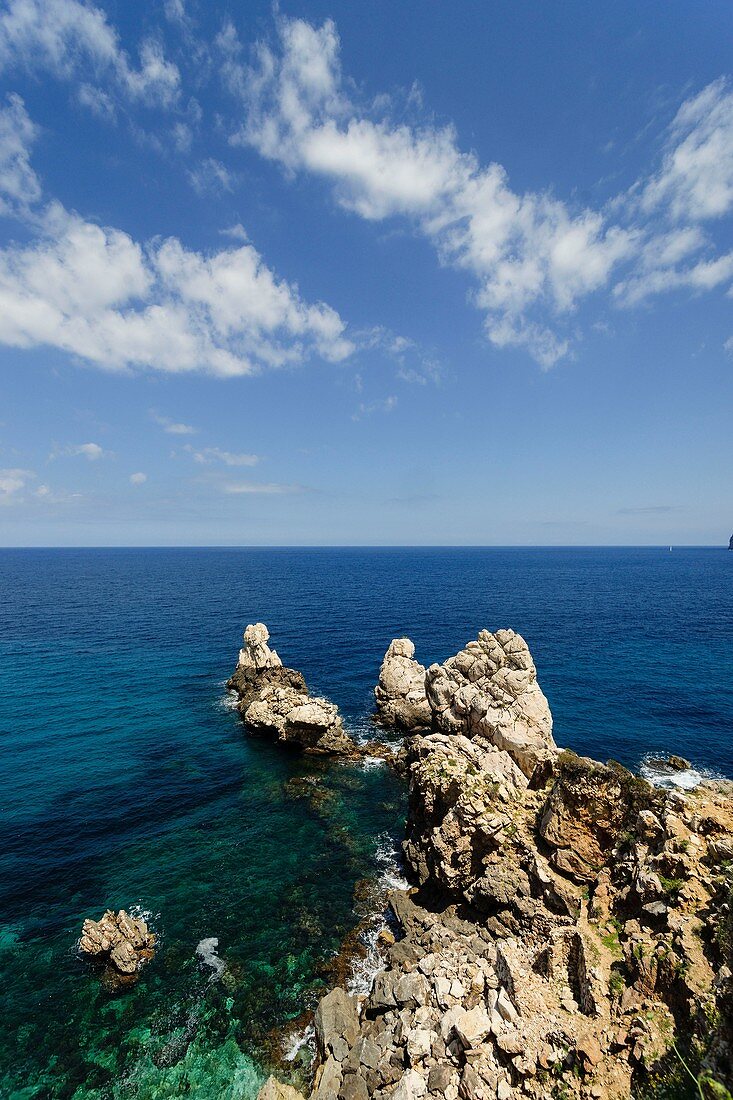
[[533, 258]]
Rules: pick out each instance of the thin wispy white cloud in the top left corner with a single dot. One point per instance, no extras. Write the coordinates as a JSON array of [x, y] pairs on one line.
[[68, 38]]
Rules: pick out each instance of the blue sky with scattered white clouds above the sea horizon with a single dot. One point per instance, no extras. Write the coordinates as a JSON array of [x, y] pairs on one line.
[[333, 274]]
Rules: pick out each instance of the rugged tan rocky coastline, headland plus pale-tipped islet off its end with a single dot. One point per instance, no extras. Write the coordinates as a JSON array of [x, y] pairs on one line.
[[570, 929]]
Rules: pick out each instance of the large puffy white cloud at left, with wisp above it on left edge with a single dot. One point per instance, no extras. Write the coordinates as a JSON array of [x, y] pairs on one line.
[[96, 293]]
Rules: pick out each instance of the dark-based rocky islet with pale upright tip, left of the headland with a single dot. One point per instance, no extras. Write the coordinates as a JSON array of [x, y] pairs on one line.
[[275, 701]]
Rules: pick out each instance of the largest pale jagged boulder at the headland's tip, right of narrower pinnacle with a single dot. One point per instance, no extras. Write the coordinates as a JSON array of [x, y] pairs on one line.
[[490, 690]]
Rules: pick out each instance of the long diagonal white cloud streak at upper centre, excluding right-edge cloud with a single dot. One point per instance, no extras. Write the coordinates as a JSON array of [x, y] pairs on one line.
[[528, 252]]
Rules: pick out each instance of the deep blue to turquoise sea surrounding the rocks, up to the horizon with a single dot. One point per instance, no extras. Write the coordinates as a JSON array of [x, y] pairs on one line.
[[125, 779]]
